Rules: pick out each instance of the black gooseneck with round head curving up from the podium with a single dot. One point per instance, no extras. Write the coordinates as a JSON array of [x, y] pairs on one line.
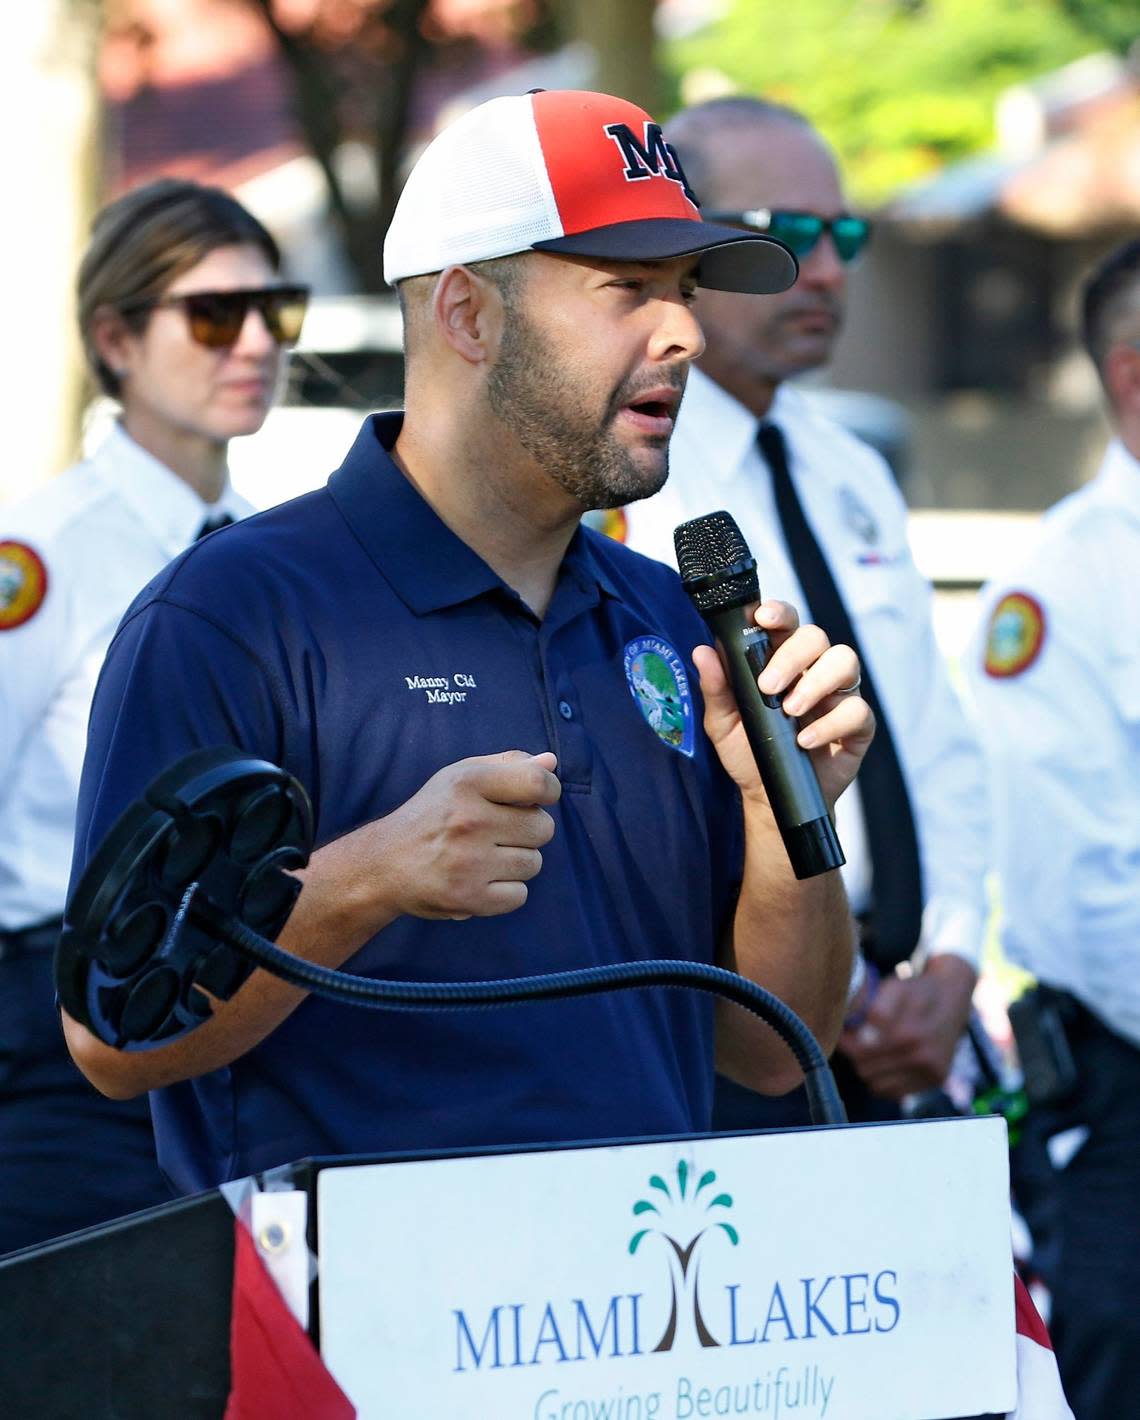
[[181, 900]]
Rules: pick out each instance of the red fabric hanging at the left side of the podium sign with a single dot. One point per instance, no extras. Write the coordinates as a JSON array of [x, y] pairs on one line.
[[275, 1368]]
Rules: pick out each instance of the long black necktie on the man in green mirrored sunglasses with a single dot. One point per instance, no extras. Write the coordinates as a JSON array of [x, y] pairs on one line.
[[897, 873]]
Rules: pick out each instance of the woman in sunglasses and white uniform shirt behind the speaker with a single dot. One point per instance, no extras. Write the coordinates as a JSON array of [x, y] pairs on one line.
[[185, 323]]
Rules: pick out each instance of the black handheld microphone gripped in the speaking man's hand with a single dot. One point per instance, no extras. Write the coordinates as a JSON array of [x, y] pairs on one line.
[[720, 577]]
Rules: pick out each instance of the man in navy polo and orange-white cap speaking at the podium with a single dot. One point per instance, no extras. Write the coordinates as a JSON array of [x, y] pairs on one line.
[[449, 665]]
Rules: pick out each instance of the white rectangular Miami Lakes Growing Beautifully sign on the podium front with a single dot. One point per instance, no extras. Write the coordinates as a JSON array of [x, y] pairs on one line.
[[835, 1274]]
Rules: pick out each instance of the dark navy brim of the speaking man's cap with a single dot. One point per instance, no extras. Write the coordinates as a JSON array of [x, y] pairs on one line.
[[732, 261]]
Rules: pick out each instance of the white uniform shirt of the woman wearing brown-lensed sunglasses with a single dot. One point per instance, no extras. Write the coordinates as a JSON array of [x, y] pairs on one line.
[[100, 532]]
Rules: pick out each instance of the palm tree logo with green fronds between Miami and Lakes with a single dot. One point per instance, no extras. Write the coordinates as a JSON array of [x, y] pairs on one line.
[[686, 1215]]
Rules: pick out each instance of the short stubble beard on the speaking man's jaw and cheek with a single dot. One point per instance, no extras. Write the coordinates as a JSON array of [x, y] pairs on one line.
[[532, 397]]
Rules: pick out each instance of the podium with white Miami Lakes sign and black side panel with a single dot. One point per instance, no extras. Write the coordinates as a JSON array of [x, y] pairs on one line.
[[831, 1273]]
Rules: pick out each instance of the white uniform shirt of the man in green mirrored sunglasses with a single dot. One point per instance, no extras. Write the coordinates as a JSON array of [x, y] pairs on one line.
[[860, 519]]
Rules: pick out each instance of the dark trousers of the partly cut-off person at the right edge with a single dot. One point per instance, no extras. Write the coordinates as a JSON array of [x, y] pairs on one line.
[[1091, 1226]]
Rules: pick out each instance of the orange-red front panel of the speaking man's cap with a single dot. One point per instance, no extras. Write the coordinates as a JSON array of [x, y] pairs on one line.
[[577, 150]]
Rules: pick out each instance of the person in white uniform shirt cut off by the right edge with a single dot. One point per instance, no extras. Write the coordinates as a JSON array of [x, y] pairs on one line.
[[1056, 674]]
